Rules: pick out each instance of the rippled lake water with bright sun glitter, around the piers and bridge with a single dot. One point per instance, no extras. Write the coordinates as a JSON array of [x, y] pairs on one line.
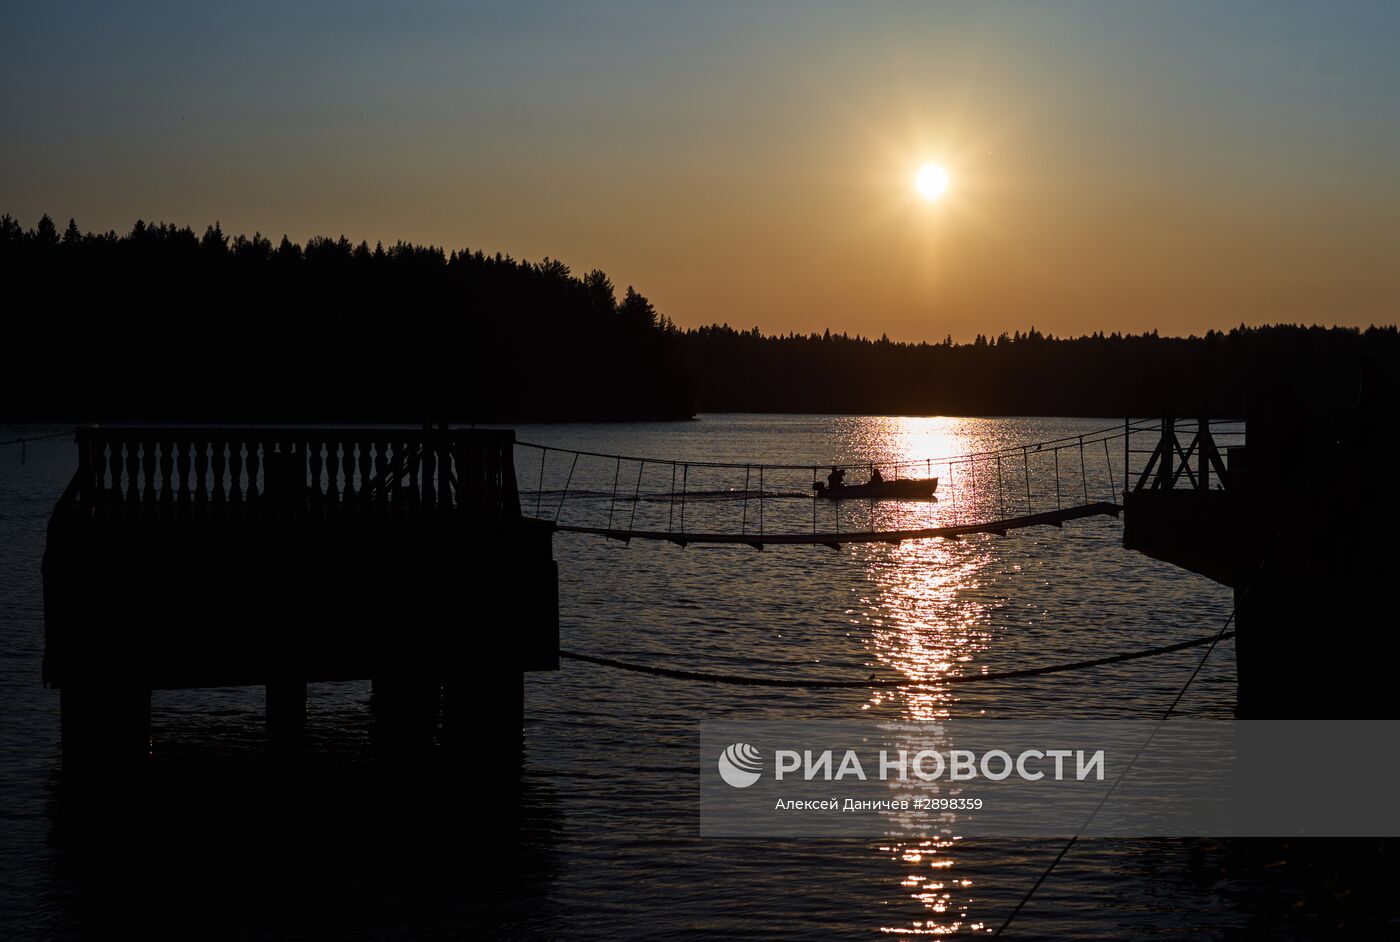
[[611, 848]]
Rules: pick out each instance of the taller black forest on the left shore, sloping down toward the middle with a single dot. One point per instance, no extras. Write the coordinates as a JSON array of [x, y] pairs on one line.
[[163, 324]]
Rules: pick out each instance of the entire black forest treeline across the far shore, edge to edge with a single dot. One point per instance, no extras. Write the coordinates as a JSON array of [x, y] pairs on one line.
[[164, 324]]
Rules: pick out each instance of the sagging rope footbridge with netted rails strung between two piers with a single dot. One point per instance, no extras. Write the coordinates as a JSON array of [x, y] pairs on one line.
[[1046, 484]]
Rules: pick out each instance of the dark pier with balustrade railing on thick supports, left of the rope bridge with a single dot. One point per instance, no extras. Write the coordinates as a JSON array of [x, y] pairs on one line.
[[202, 558]]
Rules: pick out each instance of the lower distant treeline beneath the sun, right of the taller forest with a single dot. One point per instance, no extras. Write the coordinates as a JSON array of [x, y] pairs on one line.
[[1031, 374]]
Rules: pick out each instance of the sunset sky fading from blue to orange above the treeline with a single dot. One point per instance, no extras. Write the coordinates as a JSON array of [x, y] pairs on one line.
[[1112, 166]]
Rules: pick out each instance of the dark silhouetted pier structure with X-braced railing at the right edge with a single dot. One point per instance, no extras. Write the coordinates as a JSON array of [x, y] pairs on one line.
[[1301, 524]]
